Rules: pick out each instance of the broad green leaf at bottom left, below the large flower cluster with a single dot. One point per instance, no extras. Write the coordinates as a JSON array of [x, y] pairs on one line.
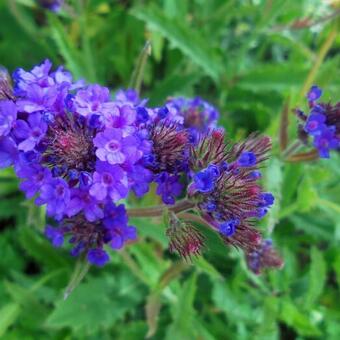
[[97, 304]]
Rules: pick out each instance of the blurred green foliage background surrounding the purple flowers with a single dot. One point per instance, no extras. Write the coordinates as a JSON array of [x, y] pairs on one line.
[[253, 60]]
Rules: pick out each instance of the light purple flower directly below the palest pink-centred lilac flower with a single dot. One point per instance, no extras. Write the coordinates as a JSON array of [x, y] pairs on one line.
[[109, 181]]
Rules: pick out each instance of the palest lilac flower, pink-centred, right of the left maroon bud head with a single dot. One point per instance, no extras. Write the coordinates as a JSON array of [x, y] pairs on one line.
[[113, 148]]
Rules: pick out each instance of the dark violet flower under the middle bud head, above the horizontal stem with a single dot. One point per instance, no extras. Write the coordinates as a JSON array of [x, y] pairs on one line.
[[168, 187]]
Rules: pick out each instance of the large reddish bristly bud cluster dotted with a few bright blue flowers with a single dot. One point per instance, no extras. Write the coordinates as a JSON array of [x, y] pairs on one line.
[[226, 189]]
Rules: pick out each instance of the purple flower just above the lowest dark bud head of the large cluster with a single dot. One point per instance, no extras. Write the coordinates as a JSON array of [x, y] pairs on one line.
[[82, 201]]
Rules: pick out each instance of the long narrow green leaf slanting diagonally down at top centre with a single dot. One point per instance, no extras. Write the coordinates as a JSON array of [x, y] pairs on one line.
[[182, 37]]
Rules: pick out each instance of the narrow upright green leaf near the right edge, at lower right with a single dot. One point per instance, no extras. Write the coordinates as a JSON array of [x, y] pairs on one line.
[[317, 278]]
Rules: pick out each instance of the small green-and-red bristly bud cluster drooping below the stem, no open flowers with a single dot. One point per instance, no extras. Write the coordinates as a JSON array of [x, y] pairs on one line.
[[184, 238]]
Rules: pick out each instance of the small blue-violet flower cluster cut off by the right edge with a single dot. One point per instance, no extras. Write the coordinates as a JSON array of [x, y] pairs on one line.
[[322, 123]]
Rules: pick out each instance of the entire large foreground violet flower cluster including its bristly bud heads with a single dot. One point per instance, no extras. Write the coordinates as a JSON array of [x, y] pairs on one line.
[[81, 152]]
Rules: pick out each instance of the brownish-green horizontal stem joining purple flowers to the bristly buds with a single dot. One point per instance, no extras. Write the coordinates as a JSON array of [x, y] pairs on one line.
[[159, 210]]
